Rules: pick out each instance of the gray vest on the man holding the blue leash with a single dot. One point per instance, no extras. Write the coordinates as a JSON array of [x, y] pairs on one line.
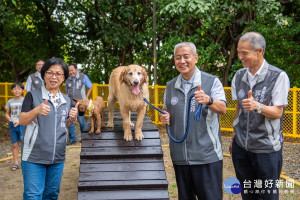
[[203, 143]]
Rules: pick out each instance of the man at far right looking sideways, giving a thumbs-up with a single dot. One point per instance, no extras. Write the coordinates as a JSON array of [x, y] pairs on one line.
[[261, 91]]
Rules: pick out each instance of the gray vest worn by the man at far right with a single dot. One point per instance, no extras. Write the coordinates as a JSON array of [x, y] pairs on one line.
[[255, 132]]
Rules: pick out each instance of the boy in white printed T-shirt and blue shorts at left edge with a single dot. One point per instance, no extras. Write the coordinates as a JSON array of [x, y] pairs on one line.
[[13, 111]]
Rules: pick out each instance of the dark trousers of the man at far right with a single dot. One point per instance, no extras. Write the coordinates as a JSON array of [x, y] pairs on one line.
[[258, 173]]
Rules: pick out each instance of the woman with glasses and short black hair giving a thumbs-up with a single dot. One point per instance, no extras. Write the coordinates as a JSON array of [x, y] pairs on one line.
[[46, 112]]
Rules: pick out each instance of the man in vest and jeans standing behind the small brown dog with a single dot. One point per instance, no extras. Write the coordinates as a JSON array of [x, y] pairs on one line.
[[75, 88]]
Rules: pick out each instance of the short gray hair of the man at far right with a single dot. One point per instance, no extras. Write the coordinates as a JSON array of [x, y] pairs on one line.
[[256, 40]]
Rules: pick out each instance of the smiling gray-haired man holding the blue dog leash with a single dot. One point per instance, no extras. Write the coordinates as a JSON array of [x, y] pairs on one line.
[[199, 158]]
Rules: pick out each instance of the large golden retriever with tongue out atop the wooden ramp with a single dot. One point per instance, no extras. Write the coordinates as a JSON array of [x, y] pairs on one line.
[[128, 84]]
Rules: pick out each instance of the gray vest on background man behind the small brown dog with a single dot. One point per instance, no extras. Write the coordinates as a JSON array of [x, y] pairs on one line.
[[76, 89]]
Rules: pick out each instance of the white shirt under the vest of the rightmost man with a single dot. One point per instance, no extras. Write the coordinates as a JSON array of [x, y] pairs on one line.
[[280, 90]]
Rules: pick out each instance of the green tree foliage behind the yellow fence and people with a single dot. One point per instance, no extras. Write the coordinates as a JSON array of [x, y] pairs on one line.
[[103, 34]]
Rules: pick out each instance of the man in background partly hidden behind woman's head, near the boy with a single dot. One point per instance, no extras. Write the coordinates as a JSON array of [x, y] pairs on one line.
[[35, 80]]
